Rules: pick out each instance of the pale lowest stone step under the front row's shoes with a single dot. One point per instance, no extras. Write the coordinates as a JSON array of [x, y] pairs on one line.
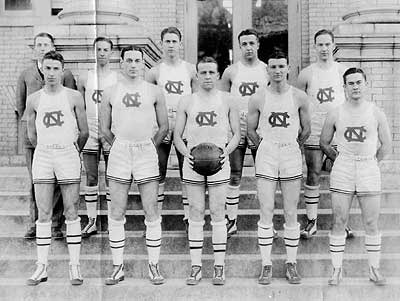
[[235, 289]]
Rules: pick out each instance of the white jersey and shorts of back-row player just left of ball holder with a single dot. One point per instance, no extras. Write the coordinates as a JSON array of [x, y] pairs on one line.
[[175, 82]]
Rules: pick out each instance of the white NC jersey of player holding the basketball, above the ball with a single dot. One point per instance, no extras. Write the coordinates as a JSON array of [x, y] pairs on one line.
[[207, 120]]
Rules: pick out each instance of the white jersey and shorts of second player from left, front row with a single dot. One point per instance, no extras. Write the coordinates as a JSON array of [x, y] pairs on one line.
[[133, 153]]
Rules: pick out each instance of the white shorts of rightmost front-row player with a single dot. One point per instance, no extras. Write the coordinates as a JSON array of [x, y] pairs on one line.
[[351, 174]]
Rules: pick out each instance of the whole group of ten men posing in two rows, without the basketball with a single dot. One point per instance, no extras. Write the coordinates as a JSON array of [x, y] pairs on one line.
[[135, 119]]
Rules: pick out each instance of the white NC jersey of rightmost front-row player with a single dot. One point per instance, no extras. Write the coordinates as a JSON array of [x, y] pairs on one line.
[[357, 130]]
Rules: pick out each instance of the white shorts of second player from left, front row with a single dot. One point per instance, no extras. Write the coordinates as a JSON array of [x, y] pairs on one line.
[[133, 160]]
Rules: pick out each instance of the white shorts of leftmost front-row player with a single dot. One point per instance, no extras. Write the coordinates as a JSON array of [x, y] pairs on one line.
[[56, 163]]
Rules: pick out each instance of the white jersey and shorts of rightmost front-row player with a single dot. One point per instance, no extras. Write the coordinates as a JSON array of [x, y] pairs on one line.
[[356, 170]]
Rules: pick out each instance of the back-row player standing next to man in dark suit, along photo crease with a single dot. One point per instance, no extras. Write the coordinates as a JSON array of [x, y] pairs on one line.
[[92, 85]]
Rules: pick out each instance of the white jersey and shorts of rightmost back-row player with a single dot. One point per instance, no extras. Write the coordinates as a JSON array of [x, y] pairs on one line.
[[326, 92]]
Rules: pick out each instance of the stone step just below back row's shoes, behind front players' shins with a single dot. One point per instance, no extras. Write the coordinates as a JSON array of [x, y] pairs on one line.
[[176, 242]]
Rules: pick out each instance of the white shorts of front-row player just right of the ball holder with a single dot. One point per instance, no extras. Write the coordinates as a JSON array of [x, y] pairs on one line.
[[278, 161]]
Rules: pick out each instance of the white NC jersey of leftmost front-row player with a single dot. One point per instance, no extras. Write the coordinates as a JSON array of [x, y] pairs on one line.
[[55, 120]]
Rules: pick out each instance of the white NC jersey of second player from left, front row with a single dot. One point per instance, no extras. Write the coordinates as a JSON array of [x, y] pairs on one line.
[[133, 112]]
